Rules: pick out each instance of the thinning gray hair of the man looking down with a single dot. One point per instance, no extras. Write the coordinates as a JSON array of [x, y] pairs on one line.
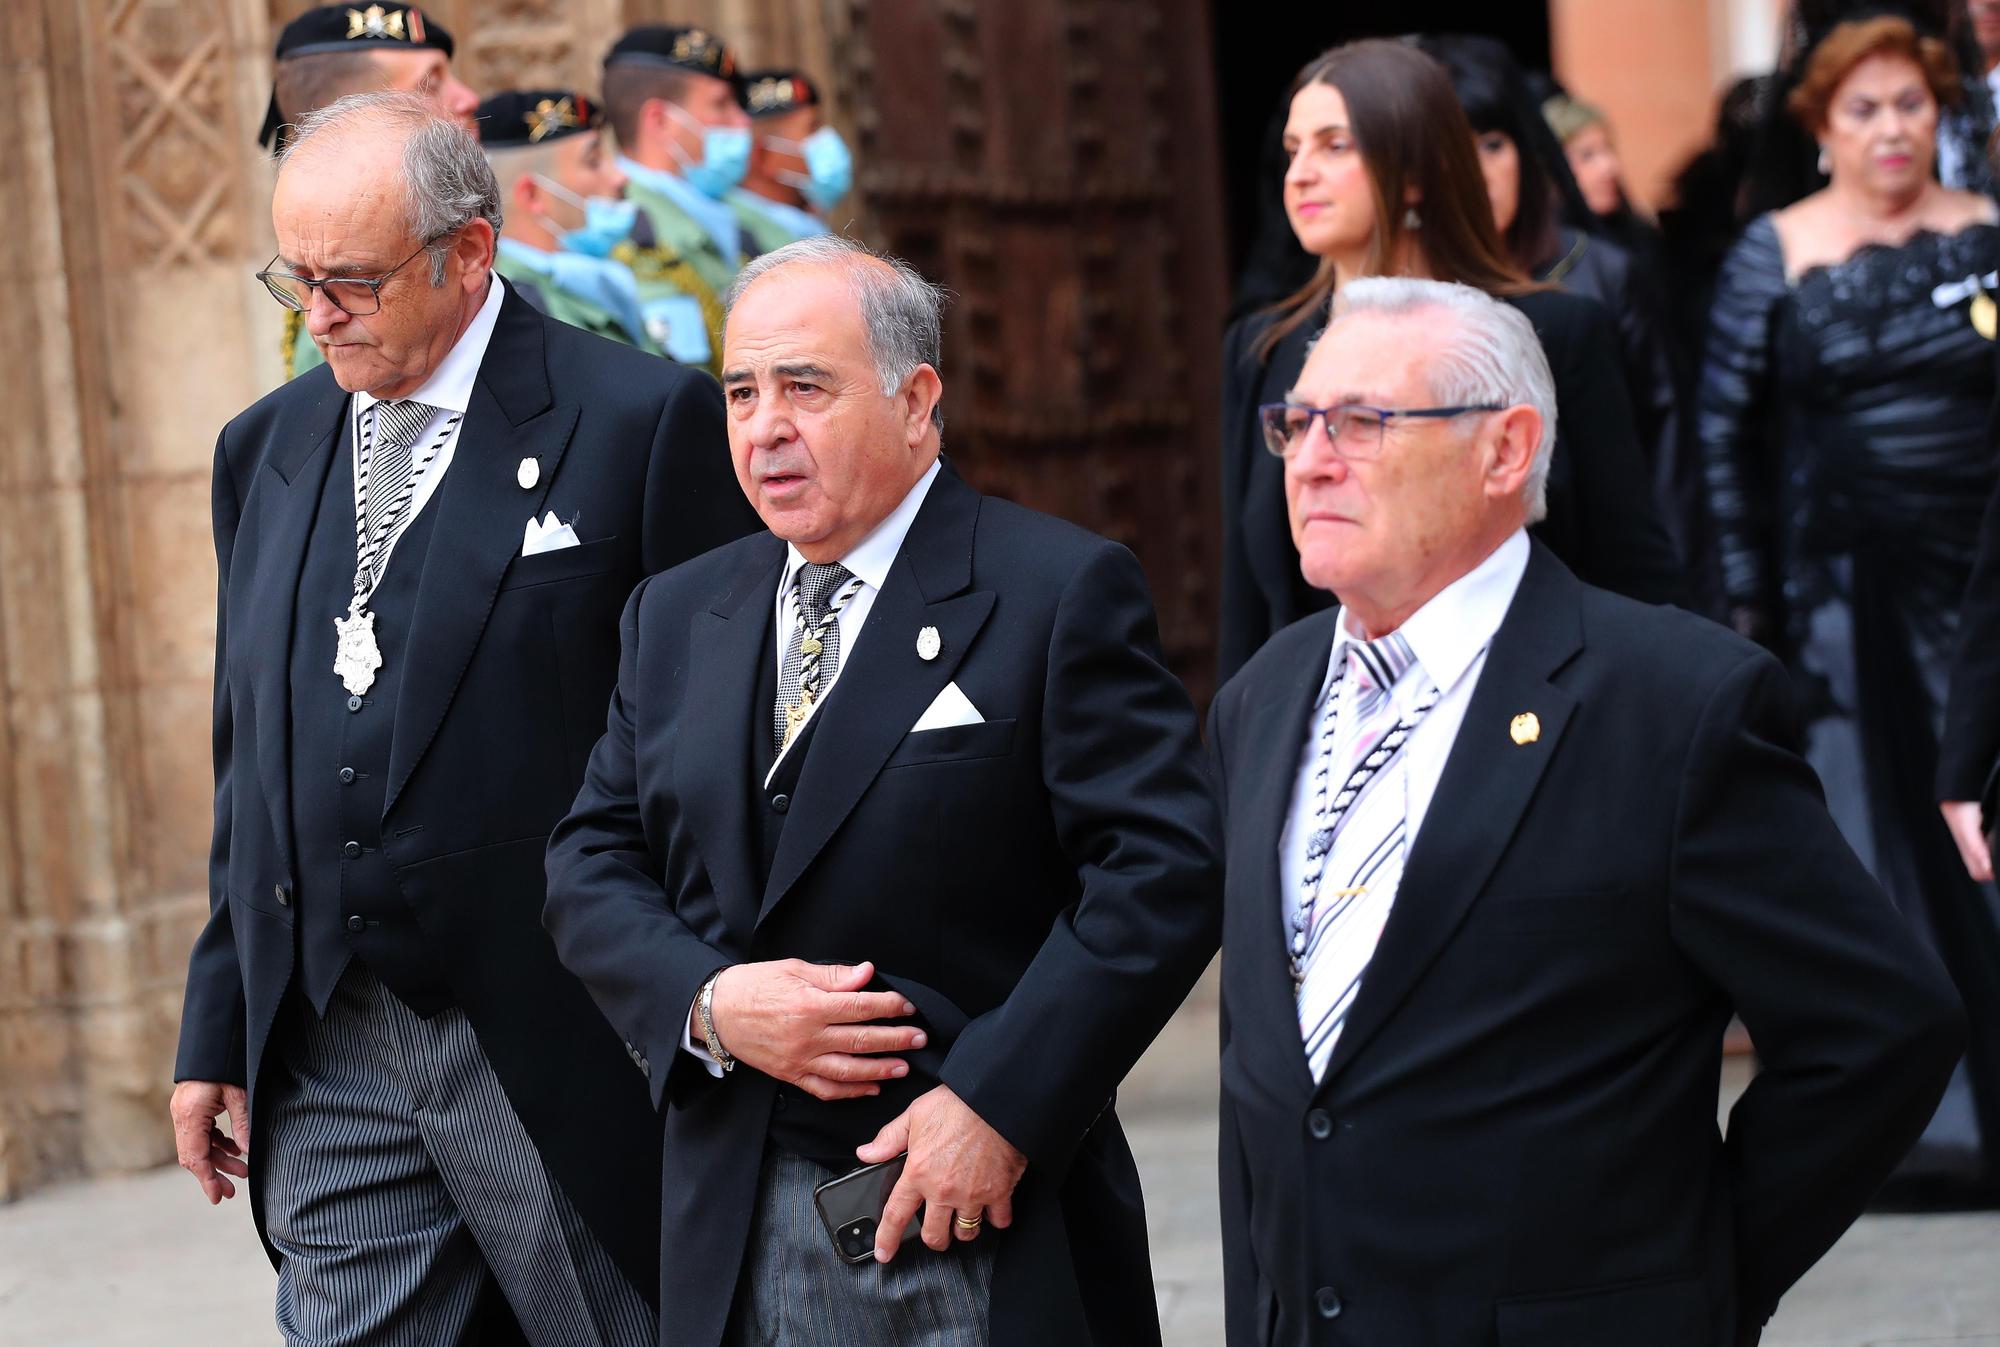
[[447, 181]]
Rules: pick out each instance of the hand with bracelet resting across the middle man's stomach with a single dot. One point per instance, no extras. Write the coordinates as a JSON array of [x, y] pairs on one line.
[[809, 1024]]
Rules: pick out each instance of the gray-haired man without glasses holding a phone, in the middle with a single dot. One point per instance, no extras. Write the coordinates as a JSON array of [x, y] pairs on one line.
[[897, 854]]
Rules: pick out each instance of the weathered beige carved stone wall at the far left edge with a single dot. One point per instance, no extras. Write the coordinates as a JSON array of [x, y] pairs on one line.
[[133, 335]]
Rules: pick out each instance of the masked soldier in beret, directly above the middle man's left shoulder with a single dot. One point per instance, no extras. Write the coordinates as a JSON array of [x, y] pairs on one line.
[[685, 141]]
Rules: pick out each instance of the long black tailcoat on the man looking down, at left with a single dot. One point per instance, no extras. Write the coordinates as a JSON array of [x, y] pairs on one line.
[[505, 694]]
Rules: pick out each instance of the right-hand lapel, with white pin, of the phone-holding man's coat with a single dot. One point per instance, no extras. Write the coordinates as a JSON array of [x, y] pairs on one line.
[[887, 684]]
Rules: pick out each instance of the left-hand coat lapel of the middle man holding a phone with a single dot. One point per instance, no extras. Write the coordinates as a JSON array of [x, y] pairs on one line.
[[727, 647]]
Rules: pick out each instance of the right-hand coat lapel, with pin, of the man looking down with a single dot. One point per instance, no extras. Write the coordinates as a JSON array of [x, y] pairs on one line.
[[481, 515]]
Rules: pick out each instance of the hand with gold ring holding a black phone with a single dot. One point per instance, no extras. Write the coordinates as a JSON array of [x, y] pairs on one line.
[[959, 1168]]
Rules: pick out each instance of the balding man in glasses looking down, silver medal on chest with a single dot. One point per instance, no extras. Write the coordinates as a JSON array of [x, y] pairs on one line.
[[423, 555]]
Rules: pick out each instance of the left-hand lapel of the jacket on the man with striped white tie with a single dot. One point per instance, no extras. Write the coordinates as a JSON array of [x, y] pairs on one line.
[[1275, 738]]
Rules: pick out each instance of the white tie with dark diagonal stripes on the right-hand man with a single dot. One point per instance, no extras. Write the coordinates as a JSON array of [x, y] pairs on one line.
[[1359, 836]]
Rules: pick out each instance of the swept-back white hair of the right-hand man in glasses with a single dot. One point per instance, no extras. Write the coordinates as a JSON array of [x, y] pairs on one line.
[[1489, 355]]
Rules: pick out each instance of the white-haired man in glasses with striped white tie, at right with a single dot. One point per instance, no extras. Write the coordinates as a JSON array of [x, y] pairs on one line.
[[1505, 854]]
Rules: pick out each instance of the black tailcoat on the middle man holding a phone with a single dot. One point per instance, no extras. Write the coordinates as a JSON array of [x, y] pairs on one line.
[[1045, 884]]
